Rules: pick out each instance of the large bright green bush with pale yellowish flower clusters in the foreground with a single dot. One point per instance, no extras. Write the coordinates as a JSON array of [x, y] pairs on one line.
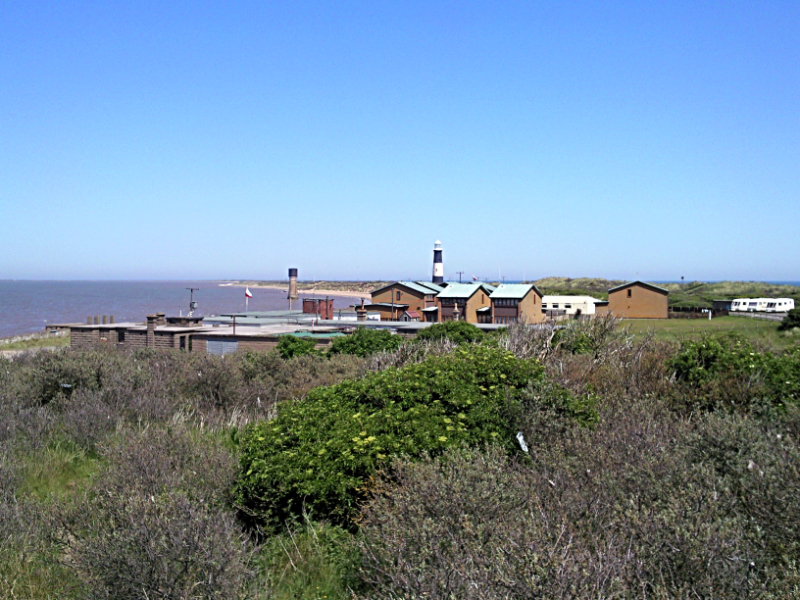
[[321, 453]]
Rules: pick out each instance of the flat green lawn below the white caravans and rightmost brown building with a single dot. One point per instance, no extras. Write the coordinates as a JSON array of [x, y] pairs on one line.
[[761, 331]]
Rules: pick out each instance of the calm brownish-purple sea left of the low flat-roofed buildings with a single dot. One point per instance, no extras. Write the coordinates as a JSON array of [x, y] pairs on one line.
[[28, 306]]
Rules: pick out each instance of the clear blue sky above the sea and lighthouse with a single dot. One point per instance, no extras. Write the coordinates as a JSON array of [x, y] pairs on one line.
[[180, 140]]
